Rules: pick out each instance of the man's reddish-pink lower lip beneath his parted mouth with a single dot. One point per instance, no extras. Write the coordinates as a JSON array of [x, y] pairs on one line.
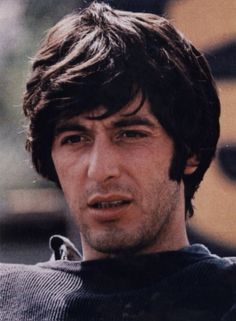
[[110, 214]]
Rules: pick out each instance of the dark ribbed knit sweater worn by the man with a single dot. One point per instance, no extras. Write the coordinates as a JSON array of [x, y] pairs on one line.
[[190, 284]]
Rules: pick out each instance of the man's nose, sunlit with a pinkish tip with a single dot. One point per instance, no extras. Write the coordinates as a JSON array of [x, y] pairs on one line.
[[104, 161]]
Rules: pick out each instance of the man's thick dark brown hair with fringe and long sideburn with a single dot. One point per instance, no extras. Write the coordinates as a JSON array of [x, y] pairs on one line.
[[101, 56]]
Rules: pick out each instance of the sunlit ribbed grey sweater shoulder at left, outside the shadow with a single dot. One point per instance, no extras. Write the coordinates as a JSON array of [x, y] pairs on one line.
[[45, 285]]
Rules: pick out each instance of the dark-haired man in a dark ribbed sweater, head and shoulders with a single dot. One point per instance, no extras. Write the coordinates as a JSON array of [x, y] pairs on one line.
[[124, 117]]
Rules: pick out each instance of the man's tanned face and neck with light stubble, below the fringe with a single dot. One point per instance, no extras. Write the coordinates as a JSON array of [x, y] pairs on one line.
[[115, 176]]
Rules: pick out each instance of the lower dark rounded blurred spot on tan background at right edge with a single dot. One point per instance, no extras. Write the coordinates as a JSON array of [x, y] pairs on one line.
[[227, 160]]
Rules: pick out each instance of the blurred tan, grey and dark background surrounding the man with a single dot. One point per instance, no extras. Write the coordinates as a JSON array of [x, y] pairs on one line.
[[32, 209]]
